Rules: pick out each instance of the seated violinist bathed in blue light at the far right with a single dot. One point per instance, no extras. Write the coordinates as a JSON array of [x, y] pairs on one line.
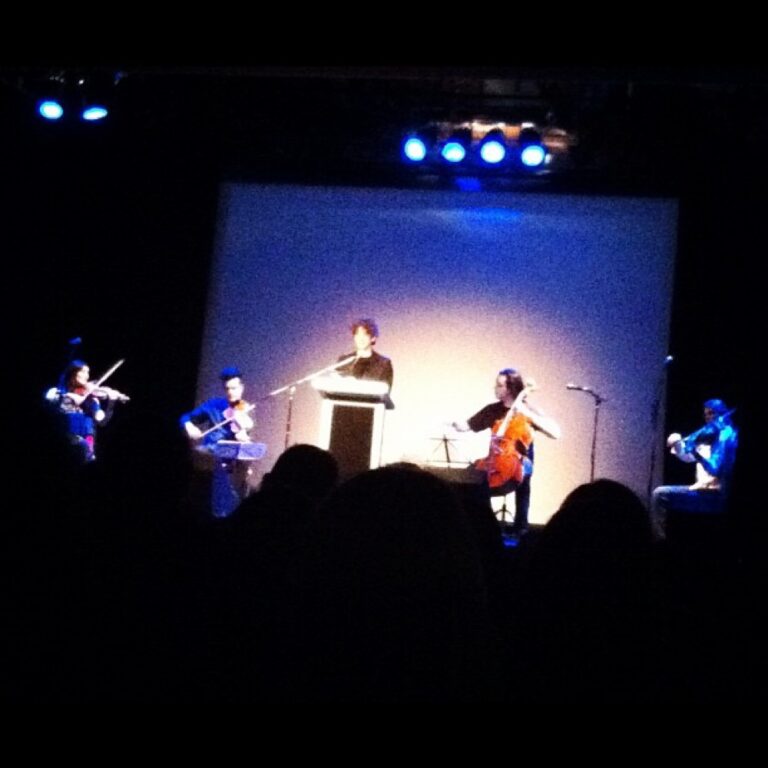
[[713, 449]]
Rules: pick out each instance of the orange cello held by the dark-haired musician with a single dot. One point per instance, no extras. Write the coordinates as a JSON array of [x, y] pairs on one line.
[[510, 440]]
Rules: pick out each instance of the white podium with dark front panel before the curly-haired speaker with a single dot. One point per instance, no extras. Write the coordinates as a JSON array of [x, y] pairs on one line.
[[352, 421]]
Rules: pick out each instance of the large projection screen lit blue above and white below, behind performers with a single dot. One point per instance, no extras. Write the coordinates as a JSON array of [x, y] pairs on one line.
[[567, 289]]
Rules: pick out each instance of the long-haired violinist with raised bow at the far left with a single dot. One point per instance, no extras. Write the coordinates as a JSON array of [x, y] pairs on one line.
[[84, 405]]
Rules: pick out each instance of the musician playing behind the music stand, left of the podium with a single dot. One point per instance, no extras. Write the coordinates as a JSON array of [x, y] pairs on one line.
[[223, 419]]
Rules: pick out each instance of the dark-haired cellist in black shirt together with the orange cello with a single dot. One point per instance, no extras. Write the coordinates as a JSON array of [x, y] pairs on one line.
[[511, 393]]
